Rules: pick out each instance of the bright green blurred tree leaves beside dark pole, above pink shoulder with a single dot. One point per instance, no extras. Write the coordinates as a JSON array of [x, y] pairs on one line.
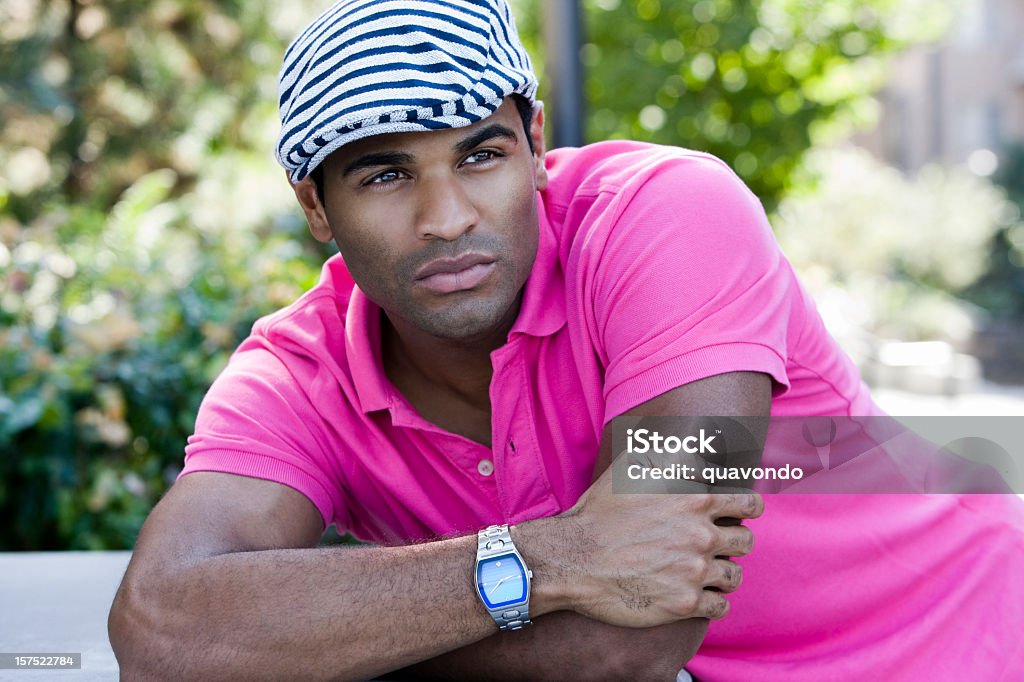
[[754, 82]]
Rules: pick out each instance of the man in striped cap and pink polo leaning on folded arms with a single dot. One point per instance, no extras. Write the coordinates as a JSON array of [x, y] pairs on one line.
[[447, 393]]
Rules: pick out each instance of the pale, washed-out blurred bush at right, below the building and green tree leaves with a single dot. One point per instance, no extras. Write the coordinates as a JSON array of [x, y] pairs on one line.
[[894, 257]]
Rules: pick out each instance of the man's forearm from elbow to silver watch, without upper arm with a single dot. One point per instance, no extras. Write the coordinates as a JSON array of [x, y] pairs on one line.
[[302, 614]]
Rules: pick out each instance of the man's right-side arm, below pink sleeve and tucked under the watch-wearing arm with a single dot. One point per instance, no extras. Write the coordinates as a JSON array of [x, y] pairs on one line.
[[570, 647]]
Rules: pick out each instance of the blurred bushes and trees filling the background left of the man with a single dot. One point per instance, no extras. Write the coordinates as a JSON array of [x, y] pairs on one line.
[[144, 228]]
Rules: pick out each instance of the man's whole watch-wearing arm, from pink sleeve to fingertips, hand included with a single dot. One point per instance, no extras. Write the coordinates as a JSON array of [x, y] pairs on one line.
[[226, 582]]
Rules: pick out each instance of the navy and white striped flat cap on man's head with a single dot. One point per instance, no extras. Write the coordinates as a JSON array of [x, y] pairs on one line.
[[371, 67]]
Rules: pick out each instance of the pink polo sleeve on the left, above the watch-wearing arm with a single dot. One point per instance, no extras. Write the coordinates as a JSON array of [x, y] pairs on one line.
[[257, 421]]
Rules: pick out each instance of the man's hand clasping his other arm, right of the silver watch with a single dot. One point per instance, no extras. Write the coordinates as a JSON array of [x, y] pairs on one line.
[[649, 561]]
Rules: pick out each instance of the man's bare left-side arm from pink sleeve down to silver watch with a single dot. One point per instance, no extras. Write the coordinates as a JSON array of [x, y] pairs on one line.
[[227, 583]]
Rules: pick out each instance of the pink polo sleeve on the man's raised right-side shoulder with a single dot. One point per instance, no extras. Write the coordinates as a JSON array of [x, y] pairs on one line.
[[689, 282]]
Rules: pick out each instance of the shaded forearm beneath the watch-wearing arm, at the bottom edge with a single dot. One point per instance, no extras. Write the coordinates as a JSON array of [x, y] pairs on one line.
[[568, 647]]
